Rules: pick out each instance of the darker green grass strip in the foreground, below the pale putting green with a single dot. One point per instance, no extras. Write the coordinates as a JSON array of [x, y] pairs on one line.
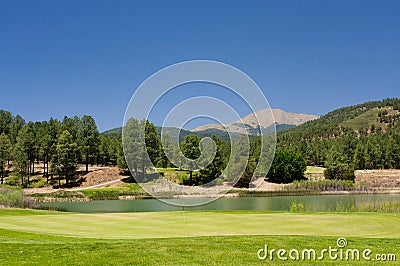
[[20, 248]]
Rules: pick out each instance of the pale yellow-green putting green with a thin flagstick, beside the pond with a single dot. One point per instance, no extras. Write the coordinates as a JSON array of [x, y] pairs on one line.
[[171, 224]]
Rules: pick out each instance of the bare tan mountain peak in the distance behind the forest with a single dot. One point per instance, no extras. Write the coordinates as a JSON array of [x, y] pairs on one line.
[[250, 125]]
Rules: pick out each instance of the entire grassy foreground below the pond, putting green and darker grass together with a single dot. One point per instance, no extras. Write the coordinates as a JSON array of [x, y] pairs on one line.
[[233, 238]]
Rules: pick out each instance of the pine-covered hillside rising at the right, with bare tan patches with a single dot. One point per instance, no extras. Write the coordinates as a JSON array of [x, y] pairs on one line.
[[363, 136]]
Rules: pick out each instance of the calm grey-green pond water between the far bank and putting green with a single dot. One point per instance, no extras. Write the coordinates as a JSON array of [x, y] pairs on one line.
[[280, 203]]
